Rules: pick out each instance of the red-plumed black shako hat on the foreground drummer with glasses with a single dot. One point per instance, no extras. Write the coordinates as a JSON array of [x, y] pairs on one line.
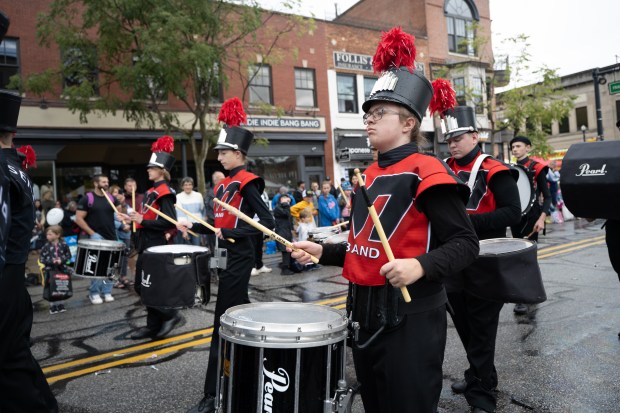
[[399, 82]]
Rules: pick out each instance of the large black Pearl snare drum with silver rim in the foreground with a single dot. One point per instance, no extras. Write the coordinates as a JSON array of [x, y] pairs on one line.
[[280, 357]]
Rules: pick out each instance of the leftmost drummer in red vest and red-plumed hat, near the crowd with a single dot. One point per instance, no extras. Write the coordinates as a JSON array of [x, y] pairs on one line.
[[151, 231]]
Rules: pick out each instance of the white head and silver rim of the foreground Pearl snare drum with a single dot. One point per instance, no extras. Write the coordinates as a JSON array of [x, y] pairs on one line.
[[283, 325]]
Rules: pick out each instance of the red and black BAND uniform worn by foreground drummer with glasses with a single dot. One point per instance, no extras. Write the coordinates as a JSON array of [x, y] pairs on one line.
[[421, 207]]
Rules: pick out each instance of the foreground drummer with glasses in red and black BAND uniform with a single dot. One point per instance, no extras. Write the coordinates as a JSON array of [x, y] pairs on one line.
[[421, 208]]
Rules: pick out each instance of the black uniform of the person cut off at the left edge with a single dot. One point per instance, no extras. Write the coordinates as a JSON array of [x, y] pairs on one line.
[[22, 383]]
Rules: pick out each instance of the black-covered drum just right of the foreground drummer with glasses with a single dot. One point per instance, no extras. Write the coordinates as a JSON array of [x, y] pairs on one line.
[[506, 271]]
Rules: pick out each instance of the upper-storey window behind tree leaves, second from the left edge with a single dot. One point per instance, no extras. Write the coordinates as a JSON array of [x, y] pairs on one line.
[[79, 66]]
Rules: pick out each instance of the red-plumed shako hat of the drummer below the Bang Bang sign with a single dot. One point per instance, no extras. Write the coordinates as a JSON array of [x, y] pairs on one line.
[[232, 136]]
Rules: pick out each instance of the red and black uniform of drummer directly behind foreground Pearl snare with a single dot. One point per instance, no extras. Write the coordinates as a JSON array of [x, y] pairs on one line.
[[242, 190]]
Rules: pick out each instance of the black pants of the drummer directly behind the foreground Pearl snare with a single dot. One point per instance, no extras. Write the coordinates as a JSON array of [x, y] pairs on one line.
[[232, 290]]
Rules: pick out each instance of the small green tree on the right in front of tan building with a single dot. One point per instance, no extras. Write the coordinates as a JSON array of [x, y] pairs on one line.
[[530, 110]]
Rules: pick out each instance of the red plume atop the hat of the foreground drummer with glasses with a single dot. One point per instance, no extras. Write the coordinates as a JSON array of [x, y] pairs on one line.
[[396, 49]]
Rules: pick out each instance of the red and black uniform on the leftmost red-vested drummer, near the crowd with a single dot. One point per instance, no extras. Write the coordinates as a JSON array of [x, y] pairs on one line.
[[150, 233]]
